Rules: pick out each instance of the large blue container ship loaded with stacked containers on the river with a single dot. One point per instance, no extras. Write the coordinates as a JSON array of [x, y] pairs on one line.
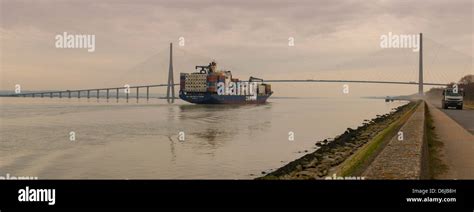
[[208, 86]]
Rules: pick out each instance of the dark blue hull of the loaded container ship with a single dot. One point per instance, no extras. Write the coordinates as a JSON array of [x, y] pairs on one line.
[[213, 98]]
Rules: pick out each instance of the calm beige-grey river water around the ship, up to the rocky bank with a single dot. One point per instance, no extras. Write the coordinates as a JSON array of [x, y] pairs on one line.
[[142, 141]]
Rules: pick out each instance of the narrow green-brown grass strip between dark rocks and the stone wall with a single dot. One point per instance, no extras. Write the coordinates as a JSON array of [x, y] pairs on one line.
[[358, 162]]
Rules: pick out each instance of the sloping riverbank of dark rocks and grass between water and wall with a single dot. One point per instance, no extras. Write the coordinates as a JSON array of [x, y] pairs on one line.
[[330, 154]]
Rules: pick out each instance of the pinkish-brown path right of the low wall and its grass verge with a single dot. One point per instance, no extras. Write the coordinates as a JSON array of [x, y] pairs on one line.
[[458, 148]]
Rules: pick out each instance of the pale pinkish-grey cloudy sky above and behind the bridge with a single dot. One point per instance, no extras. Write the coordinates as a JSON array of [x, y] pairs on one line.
[[332, 40]]
